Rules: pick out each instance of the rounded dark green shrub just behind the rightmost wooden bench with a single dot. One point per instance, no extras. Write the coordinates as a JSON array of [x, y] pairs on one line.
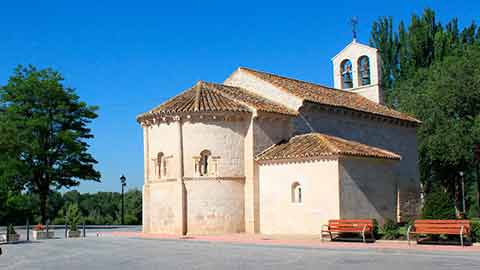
[[438, 205]]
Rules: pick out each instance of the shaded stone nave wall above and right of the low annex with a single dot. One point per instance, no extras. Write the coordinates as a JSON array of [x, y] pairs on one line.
[[382, 134]]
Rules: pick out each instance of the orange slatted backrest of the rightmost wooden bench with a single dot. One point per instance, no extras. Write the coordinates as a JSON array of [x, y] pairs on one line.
[[450, 226]]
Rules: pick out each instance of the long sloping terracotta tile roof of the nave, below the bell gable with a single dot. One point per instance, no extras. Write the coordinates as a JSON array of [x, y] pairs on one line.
[[329, 96]]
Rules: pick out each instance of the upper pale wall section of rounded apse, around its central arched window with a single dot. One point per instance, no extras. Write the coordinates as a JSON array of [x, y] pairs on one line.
[[224, 139]]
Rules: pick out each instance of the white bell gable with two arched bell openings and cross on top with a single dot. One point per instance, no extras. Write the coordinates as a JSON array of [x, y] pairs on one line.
[[357, 69]]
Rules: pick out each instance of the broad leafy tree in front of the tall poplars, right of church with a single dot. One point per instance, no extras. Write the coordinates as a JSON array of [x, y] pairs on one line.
[[446, 96]]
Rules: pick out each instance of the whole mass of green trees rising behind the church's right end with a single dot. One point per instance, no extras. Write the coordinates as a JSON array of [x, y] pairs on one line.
[[432, 71]]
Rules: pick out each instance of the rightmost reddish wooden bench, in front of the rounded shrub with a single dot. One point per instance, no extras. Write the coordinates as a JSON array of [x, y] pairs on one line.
[[438, 227]]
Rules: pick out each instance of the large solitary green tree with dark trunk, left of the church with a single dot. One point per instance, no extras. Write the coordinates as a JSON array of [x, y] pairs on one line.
[[43, 134]]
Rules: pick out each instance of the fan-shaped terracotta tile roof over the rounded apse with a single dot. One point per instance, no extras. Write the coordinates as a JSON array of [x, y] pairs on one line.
[[212, 97]]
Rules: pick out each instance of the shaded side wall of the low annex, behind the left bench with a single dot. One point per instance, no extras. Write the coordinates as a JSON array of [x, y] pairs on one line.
[[367, 189]]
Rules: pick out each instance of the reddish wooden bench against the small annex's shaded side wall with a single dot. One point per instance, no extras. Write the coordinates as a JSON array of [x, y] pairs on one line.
[[339, 226]]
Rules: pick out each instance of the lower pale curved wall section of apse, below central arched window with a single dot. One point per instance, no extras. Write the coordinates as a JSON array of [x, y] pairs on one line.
[[215, 206]]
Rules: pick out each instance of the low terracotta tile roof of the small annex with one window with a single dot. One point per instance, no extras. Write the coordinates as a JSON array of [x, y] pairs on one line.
[[317, 144]]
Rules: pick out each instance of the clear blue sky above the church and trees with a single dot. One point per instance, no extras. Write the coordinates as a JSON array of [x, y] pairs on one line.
[[129, 57]]
